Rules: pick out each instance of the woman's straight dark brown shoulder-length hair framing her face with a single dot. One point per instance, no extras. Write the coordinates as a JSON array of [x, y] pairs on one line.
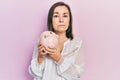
[[50, 15]]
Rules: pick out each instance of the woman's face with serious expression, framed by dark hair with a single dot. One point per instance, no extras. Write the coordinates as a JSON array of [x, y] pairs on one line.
[[60, 19]]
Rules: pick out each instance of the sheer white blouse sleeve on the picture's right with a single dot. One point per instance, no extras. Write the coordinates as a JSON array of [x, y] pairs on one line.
[[71, 66]]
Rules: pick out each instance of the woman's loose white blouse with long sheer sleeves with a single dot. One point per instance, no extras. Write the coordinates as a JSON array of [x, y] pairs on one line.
[[69, 67]]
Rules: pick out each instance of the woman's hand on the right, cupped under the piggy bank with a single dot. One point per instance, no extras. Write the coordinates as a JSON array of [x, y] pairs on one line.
[[54, 53]]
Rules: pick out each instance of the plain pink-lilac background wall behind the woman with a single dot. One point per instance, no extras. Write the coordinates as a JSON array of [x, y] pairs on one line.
[[97, 22]]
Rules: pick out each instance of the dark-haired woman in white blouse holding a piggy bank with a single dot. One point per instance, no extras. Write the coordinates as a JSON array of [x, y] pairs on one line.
[[65, 62]]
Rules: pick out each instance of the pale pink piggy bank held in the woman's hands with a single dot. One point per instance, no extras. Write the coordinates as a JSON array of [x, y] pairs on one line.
[[49, 39]]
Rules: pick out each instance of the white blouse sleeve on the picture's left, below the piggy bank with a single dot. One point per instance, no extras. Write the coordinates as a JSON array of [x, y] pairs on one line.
[[36, 69]]
